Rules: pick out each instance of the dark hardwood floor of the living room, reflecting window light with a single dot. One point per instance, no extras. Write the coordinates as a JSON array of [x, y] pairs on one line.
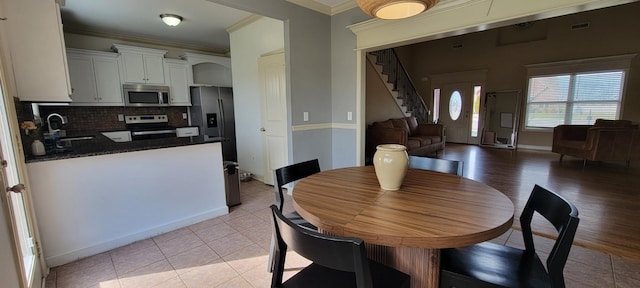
[[607, 194]]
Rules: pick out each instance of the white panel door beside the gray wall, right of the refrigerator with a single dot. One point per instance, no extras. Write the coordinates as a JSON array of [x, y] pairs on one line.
[[274, 113]]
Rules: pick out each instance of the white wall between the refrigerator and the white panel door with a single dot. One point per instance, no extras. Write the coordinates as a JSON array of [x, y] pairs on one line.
[[247, 44]]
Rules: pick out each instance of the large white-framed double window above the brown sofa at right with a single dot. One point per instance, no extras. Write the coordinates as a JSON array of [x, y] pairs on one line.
[[575, 92]]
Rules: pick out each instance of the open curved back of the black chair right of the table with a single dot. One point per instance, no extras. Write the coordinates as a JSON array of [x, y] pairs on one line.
[[564, 217]]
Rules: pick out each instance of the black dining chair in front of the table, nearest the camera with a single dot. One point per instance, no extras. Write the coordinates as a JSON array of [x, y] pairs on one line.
[[336, 261]]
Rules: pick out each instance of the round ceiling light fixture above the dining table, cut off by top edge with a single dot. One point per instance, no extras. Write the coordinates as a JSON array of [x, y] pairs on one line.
[[395, 9]]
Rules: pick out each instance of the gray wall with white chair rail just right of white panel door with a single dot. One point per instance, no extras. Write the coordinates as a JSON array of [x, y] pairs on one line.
[[308, 60]]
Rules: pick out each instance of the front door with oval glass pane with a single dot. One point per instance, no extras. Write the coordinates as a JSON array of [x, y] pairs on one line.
[[455, 111]]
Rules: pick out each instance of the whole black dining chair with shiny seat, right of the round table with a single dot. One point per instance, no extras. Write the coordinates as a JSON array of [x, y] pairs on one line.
[[492, 265]]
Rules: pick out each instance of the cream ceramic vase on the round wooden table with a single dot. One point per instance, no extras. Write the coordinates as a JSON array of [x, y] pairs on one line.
[[390, 162]]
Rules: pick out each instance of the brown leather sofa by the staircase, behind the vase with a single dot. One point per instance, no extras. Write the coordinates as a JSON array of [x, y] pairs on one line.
[[420, 139]]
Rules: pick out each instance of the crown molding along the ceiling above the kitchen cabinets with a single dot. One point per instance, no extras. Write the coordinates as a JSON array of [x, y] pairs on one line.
[[150, 41]]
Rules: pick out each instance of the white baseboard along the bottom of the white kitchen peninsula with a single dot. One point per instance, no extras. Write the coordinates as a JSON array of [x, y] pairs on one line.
[[107, 245]]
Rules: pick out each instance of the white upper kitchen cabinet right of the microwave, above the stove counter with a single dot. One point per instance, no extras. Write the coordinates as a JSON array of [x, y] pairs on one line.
[[179, 78]]
